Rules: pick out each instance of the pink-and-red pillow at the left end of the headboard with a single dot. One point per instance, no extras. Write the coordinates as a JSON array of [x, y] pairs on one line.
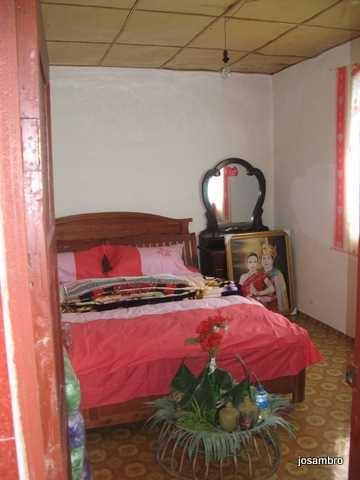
[[81, 264]]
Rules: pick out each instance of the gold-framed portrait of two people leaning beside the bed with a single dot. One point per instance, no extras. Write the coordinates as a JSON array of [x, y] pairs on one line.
[[260, 263]]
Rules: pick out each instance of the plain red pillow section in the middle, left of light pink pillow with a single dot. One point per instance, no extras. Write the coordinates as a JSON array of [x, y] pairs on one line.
[[124, 260]]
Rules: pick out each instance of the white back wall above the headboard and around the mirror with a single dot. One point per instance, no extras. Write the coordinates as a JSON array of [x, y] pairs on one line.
[[141, 140]]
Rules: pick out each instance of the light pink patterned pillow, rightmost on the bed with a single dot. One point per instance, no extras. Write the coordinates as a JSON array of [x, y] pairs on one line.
[[164, 259]]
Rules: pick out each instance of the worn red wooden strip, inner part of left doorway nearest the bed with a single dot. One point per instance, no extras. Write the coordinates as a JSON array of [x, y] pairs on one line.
[[39, 217]]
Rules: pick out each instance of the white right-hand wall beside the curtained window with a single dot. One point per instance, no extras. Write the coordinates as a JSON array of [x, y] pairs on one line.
[[304, 162]]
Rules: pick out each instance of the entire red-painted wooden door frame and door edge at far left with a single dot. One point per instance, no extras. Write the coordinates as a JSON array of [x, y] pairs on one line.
[[35, 391]]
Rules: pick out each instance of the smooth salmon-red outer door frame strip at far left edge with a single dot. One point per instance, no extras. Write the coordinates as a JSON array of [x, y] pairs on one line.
[[17, 307]]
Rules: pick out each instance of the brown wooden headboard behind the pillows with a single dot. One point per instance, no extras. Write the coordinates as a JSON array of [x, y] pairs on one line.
[[78, 232]]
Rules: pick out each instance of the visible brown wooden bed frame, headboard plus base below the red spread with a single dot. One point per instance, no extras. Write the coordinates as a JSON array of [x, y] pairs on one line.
[[78, 232]]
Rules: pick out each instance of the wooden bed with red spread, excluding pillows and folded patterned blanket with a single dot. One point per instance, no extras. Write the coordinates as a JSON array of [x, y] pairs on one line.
[[140, 367]]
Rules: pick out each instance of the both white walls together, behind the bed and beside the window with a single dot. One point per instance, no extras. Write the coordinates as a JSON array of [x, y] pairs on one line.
[[141, 140]]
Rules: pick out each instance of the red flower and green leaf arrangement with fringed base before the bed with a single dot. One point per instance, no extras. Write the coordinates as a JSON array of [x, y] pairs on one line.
[[212, 415]]
